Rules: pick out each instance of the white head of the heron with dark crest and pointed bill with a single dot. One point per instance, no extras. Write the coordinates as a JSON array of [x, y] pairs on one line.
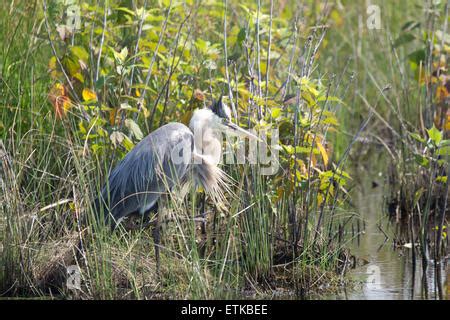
[[217, 118]]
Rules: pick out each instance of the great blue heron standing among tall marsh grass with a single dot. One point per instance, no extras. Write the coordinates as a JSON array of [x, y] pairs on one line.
[[163, 160]]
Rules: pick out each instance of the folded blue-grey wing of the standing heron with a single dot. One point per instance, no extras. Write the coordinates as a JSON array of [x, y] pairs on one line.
[[155, 165]]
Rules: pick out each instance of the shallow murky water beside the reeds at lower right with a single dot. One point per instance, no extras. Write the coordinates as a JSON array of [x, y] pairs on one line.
[[387, 272]]
